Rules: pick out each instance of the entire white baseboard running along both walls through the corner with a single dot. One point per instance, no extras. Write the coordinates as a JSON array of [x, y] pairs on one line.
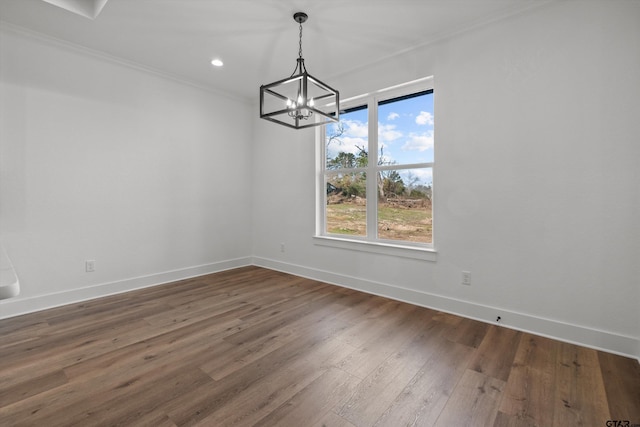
[[593, 338]]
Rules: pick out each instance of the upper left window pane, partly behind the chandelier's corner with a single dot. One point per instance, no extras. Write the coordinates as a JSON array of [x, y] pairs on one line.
[[346, 141]]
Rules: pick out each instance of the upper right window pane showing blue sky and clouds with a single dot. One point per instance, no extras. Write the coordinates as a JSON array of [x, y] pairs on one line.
[[405, 130]]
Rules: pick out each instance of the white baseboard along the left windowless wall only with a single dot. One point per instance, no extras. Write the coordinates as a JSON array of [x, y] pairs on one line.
[[17, 306]]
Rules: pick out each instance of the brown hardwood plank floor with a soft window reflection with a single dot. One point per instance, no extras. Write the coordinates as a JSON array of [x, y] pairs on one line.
[[257, 347]]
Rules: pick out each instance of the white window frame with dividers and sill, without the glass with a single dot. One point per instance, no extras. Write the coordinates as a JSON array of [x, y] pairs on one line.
[[368, 243]]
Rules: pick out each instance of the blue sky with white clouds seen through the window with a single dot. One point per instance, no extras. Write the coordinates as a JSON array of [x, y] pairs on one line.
[[405, 132]]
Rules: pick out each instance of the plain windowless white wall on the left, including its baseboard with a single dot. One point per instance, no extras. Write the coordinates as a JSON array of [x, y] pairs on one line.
[[147, 176]]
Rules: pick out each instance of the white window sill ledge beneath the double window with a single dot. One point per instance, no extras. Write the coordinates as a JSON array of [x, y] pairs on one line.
[[419, 253]]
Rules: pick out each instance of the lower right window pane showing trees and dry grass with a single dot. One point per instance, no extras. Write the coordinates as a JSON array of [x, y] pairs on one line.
[[404, 205]]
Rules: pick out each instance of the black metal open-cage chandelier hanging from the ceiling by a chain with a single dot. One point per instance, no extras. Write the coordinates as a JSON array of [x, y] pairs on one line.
[[300, 100]]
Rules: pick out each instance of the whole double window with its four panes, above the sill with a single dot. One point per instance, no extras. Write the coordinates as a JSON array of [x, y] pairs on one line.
[[376, 180]]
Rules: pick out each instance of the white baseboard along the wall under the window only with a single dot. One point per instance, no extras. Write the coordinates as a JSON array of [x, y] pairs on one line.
[[627, 346]]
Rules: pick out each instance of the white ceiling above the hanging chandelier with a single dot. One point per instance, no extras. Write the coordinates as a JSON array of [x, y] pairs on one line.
[[256, 39]]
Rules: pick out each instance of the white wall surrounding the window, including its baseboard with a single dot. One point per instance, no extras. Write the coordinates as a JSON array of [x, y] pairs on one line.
[[537, 189]]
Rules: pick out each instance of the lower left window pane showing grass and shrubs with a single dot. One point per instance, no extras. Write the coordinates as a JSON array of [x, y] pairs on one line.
[[346, 209]]
